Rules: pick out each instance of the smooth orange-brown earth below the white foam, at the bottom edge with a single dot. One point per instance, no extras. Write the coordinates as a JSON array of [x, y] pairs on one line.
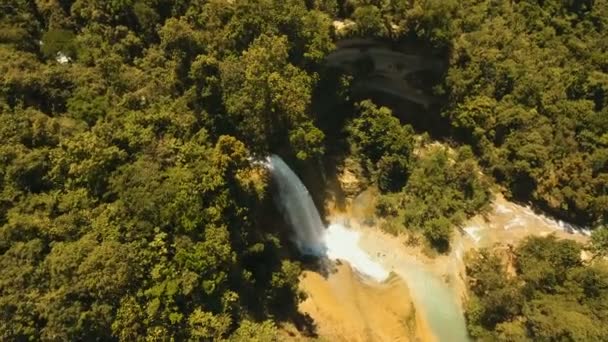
[[346, 307]]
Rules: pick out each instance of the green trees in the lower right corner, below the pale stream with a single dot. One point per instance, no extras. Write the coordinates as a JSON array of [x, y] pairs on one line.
[[552, 296]]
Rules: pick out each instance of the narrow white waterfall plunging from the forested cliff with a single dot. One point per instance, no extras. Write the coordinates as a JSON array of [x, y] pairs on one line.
[[297, 208]]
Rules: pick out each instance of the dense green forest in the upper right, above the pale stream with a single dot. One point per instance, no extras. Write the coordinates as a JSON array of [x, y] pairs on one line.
[[527, 87]]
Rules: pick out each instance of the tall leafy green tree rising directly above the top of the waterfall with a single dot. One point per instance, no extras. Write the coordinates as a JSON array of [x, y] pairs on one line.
[[264, 95]]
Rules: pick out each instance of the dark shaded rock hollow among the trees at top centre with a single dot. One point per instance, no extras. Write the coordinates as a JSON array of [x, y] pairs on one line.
[[399, 75]]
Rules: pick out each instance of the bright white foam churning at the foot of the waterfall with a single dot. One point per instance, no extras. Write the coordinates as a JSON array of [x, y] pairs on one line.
[[343, 243]]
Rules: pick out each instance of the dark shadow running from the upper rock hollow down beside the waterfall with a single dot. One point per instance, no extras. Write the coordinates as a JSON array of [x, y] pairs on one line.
[[398, 75]]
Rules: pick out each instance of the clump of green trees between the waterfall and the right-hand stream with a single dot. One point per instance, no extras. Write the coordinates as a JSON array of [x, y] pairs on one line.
[[431, 191]]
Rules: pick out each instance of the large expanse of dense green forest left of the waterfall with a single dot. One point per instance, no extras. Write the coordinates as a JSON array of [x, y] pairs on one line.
[[129, 205]]
